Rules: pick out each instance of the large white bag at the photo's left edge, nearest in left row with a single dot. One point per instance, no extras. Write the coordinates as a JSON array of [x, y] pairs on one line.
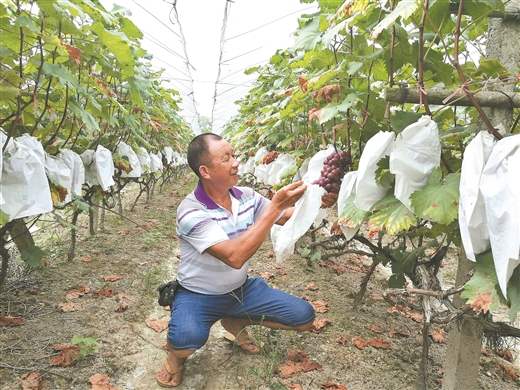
[[25, 189]]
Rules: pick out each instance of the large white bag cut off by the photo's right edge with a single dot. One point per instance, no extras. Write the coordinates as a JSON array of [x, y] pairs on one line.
[[500, 189]]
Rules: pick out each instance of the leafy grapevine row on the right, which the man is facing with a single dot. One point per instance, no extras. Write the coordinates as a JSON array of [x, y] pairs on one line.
[[331, 88]]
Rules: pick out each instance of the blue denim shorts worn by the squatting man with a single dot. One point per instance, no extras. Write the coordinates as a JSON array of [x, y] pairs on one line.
[[193, 314]]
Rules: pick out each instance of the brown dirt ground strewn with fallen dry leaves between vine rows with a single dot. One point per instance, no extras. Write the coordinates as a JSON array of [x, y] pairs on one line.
[[142, 249]]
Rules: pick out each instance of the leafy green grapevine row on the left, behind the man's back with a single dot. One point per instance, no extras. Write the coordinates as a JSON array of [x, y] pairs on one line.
[[74, 77]]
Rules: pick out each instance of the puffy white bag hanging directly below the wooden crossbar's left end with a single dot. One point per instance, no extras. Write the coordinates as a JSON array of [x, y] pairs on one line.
[[416, 152]]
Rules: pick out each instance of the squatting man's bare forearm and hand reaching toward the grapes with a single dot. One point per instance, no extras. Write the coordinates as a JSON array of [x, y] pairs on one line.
[[237, 251]]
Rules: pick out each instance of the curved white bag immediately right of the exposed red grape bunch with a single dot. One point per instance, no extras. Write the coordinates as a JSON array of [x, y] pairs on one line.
[[368, 191]]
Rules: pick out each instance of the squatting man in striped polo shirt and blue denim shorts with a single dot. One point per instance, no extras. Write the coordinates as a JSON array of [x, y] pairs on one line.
[[220, 228]]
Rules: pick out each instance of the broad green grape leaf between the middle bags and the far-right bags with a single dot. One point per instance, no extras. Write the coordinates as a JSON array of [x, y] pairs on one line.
[[438, 201]]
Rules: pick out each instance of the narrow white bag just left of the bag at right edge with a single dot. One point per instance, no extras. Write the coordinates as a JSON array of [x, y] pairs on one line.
[[472, 212]]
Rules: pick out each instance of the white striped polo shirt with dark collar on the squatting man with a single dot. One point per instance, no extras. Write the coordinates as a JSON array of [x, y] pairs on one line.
[[202, 223]]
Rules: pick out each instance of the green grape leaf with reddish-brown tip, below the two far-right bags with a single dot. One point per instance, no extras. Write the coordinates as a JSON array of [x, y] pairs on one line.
[[484, 281]]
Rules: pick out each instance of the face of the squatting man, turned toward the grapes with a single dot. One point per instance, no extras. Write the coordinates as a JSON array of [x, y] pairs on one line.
[[224, 166]]
